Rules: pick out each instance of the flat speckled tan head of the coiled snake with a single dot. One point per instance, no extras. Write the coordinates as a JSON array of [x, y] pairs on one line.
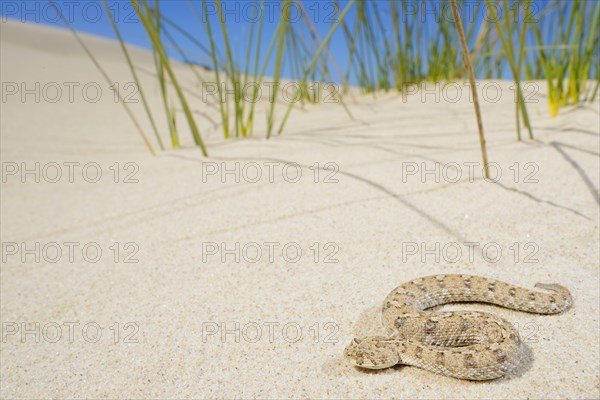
[[373, 352]]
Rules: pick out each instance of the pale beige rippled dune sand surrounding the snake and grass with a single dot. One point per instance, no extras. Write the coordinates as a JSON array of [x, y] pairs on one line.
[[183, 323]]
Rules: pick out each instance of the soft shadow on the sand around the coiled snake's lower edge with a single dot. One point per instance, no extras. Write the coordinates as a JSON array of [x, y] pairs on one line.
[[369, 324]]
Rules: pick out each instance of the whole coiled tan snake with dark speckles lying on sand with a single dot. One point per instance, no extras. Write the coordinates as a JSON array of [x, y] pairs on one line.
[[462, 344]]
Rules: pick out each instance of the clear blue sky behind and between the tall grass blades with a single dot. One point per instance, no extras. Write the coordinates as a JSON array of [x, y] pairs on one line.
[[90, 17]]
